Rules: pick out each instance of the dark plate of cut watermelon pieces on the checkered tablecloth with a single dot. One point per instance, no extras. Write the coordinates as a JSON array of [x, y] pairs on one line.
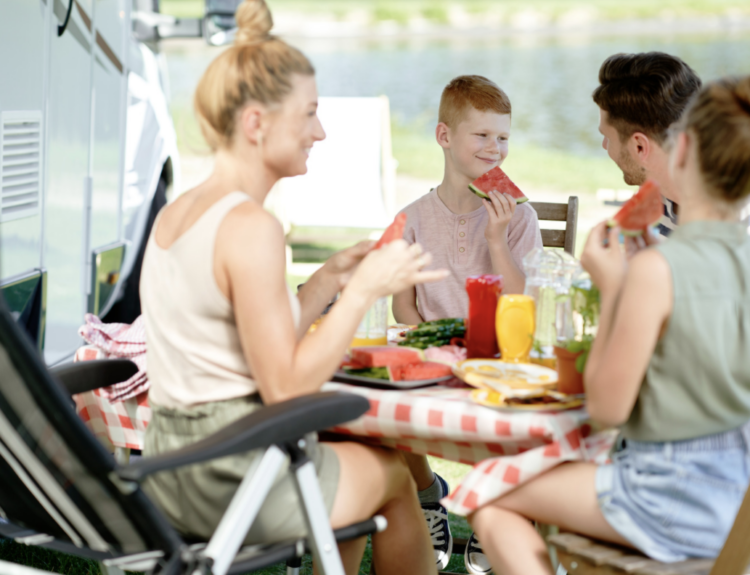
[[392, 367]]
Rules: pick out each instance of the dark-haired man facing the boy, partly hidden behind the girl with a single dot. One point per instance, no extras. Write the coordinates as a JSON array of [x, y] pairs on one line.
[[639, 97]]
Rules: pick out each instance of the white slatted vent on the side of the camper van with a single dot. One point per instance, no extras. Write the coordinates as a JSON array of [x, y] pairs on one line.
[[20, 165]]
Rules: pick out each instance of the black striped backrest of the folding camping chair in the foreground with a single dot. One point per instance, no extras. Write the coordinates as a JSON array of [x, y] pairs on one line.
[[55, 477]]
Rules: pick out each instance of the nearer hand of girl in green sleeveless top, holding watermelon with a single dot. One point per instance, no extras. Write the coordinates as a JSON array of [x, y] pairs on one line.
[[604, 259]]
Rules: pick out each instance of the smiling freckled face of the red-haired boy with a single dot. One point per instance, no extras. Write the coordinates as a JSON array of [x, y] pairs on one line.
[[480, 142]]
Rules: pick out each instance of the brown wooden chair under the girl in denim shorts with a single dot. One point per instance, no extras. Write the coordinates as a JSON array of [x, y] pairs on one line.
[[583, 556]]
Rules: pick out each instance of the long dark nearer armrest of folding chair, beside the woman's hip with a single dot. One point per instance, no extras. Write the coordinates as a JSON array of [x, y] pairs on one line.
[[272, 425]]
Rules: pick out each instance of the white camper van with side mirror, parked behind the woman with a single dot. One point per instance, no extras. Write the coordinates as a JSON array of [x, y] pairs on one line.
[[87, 154]]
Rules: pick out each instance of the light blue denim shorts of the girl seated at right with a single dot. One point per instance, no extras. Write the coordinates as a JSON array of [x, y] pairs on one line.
[[677, 499]]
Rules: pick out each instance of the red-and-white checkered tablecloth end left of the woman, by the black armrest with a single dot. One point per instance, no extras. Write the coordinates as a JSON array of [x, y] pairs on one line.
[[120, 423]]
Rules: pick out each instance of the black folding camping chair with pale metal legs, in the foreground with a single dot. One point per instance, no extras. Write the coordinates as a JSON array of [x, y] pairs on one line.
[[60, 489]]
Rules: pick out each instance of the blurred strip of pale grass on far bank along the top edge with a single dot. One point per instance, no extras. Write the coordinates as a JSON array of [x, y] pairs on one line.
[[438, 11]]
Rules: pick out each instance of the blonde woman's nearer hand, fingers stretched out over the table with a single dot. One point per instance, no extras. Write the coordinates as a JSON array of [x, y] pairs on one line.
[[392, 269]]
